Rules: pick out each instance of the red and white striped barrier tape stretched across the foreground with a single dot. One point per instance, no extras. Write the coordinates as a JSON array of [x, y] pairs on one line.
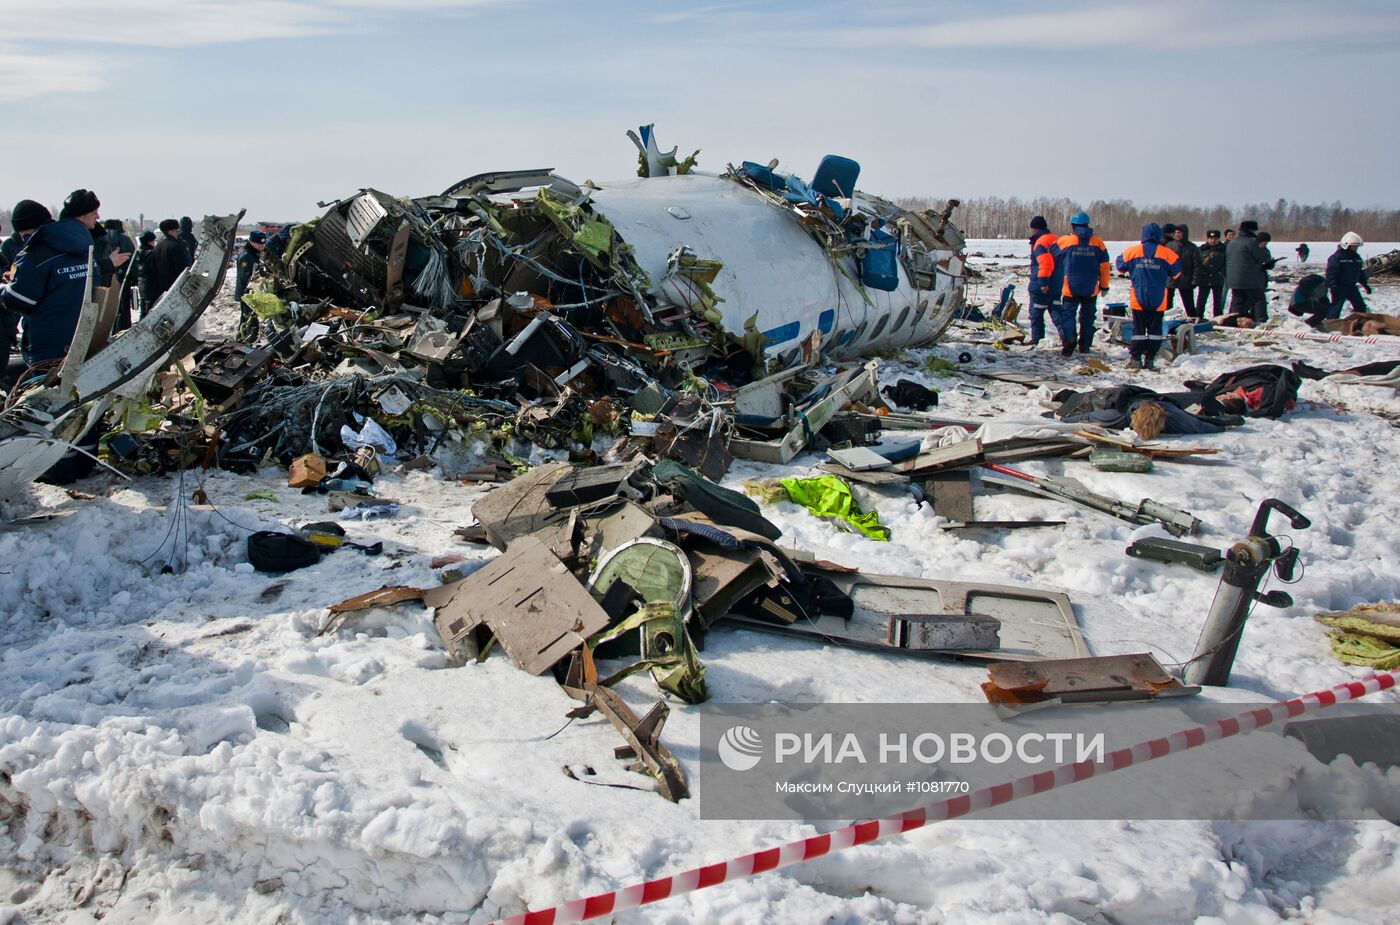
[[985, 798]]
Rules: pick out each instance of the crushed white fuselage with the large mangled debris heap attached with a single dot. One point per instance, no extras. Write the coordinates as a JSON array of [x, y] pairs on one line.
[[706, 314]]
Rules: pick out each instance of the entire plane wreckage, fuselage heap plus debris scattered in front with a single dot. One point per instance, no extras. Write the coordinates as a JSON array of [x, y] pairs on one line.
[[645, 334]]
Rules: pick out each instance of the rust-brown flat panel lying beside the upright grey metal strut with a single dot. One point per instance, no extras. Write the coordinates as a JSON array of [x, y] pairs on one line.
[[1105, 679]]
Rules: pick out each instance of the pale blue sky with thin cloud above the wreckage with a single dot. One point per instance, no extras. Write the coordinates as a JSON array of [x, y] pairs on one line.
[[212, 106]]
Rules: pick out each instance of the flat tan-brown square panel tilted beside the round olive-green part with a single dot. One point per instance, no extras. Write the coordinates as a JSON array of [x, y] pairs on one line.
[[528, 601]]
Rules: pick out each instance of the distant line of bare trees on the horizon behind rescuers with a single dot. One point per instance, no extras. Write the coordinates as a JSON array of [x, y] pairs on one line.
[[1122, 220]]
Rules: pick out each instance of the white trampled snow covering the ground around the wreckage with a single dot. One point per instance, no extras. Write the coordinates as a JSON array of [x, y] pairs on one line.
[[185, 747]]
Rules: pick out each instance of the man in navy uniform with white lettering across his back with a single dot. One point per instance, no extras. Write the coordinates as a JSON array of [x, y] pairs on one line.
[[51, 279]]
